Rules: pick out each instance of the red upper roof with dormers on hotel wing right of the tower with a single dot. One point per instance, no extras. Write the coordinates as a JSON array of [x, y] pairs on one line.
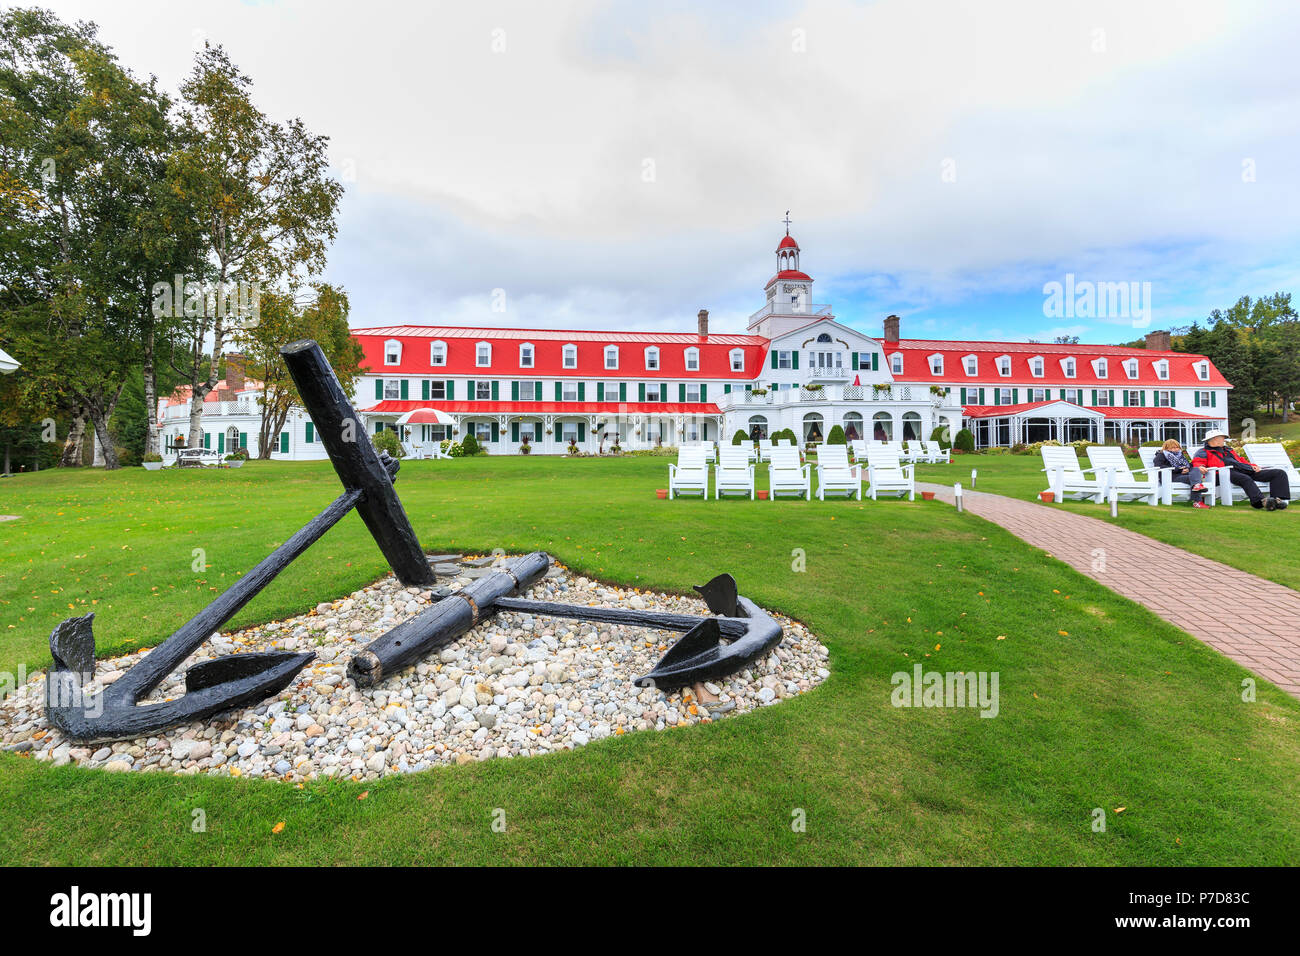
[[917, 352]]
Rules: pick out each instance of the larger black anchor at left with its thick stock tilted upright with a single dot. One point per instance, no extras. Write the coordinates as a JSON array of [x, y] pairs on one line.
[[236, 681]]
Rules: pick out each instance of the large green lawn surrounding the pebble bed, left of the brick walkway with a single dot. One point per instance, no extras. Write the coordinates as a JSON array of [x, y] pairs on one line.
[[1103, 706]]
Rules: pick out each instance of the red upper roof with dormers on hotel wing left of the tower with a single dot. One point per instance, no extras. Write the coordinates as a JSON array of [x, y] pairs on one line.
[[548, 353]]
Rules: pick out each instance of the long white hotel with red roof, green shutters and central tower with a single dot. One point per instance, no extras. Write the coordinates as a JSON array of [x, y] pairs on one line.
[[796, 367]]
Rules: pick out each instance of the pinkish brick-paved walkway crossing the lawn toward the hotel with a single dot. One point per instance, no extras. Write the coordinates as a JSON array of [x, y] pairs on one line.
[[1155, 576]]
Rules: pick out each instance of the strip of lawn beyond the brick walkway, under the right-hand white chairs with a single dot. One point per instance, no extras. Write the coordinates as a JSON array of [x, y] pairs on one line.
[[1263, 543]]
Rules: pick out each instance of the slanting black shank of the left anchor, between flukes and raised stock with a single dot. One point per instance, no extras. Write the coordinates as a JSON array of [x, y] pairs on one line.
[[190, 637]]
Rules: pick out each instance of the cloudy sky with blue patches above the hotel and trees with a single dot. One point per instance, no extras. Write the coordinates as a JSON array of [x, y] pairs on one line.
[[623, 166]]
